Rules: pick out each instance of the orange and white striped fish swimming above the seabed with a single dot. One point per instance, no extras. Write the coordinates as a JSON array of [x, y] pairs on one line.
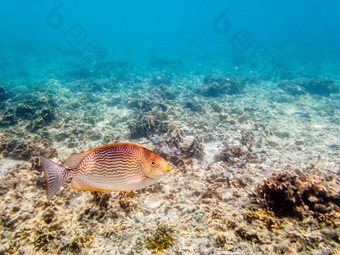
[[114, 167]]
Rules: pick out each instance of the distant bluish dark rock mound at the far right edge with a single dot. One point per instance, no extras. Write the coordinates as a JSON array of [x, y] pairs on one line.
[[323, 87]]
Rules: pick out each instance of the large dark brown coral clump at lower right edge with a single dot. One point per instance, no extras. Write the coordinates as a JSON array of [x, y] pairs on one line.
[[299, 195]]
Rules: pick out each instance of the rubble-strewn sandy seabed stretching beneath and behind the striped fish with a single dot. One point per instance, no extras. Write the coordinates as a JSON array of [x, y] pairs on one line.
[[223, 136]]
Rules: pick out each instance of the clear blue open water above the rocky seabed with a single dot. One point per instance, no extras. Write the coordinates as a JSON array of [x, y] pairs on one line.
[[304, 34]]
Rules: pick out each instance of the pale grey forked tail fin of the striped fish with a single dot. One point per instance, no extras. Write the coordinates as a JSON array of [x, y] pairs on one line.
[[55, 176]]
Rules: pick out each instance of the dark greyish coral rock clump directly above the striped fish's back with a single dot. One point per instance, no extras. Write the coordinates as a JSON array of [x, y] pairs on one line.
[[147, 125]]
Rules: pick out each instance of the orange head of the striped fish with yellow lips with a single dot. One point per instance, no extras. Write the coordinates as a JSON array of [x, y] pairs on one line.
[[156, 166]]
